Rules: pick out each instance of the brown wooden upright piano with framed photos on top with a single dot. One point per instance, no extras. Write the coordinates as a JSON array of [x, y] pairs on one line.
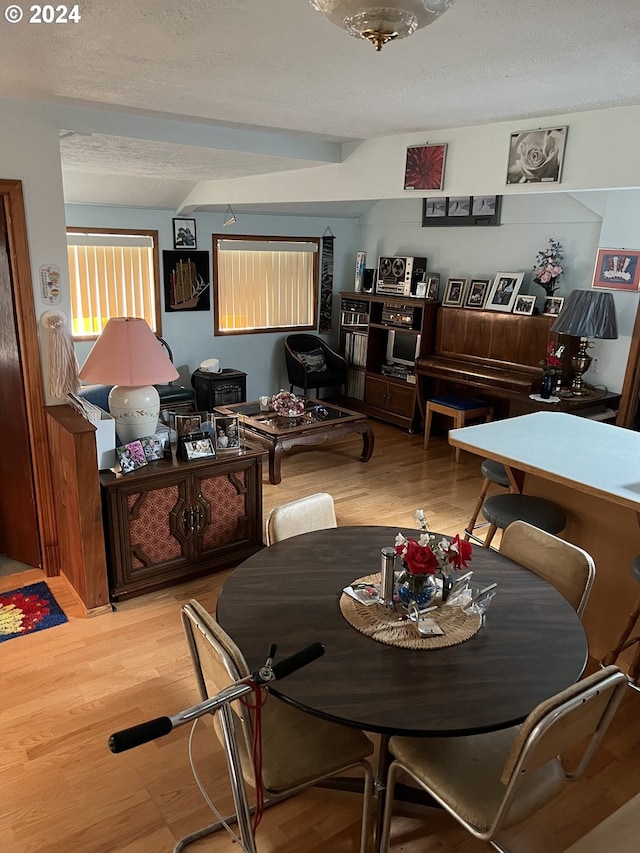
[[487, 354]]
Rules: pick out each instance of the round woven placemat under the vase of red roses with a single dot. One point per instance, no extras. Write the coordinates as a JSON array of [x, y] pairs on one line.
[[386, 626]]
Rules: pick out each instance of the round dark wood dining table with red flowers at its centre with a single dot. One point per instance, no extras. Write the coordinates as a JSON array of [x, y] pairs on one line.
[[531, 645]]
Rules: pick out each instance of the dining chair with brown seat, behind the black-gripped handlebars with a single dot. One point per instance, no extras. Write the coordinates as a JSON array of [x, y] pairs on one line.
[[298, 750]]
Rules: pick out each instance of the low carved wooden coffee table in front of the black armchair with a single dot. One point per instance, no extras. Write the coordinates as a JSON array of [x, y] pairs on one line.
[[320, 422]]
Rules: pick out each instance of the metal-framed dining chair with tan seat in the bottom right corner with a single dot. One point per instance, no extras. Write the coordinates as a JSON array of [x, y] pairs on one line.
[[492, 781]]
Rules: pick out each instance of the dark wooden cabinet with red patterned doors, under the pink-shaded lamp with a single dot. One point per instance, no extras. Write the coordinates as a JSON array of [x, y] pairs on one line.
[[175, 520]]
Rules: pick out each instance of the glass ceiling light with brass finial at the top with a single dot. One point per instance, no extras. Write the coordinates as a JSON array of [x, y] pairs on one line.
[[380, 21]]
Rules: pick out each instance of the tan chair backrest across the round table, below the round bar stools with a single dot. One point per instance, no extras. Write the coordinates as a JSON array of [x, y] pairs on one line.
[[565, 566]]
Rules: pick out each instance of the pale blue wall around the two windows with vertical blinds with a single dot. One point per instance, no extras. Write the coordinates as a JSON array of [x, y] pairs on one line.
[[190, 334]]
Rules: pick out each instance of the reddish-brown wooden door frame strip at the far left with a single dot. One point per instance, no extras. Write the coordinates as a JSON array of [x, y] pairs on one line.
[[27, 332]]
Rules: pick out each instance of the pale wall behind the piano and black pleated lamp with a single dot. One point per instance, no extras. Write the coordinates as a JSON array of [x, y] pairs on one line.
[[580, 221]]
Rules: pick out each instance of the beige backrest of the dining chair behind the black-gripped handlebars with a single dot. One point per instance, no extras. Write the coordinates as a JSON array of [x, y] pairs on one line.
[[217, 663]]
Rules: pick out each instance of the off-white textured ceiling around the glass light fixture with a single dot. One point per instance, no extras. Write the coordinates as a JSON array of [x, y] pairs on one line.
[[253, 65]]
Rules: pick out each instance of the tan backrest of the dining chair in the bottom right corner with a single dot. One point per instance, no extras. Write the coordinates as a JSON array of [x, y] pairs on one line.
[[579, 715]]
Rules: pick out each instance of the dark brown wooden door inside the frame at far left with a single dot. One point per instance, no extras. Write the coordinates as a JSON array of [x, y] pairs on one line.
[[19, 538]]
